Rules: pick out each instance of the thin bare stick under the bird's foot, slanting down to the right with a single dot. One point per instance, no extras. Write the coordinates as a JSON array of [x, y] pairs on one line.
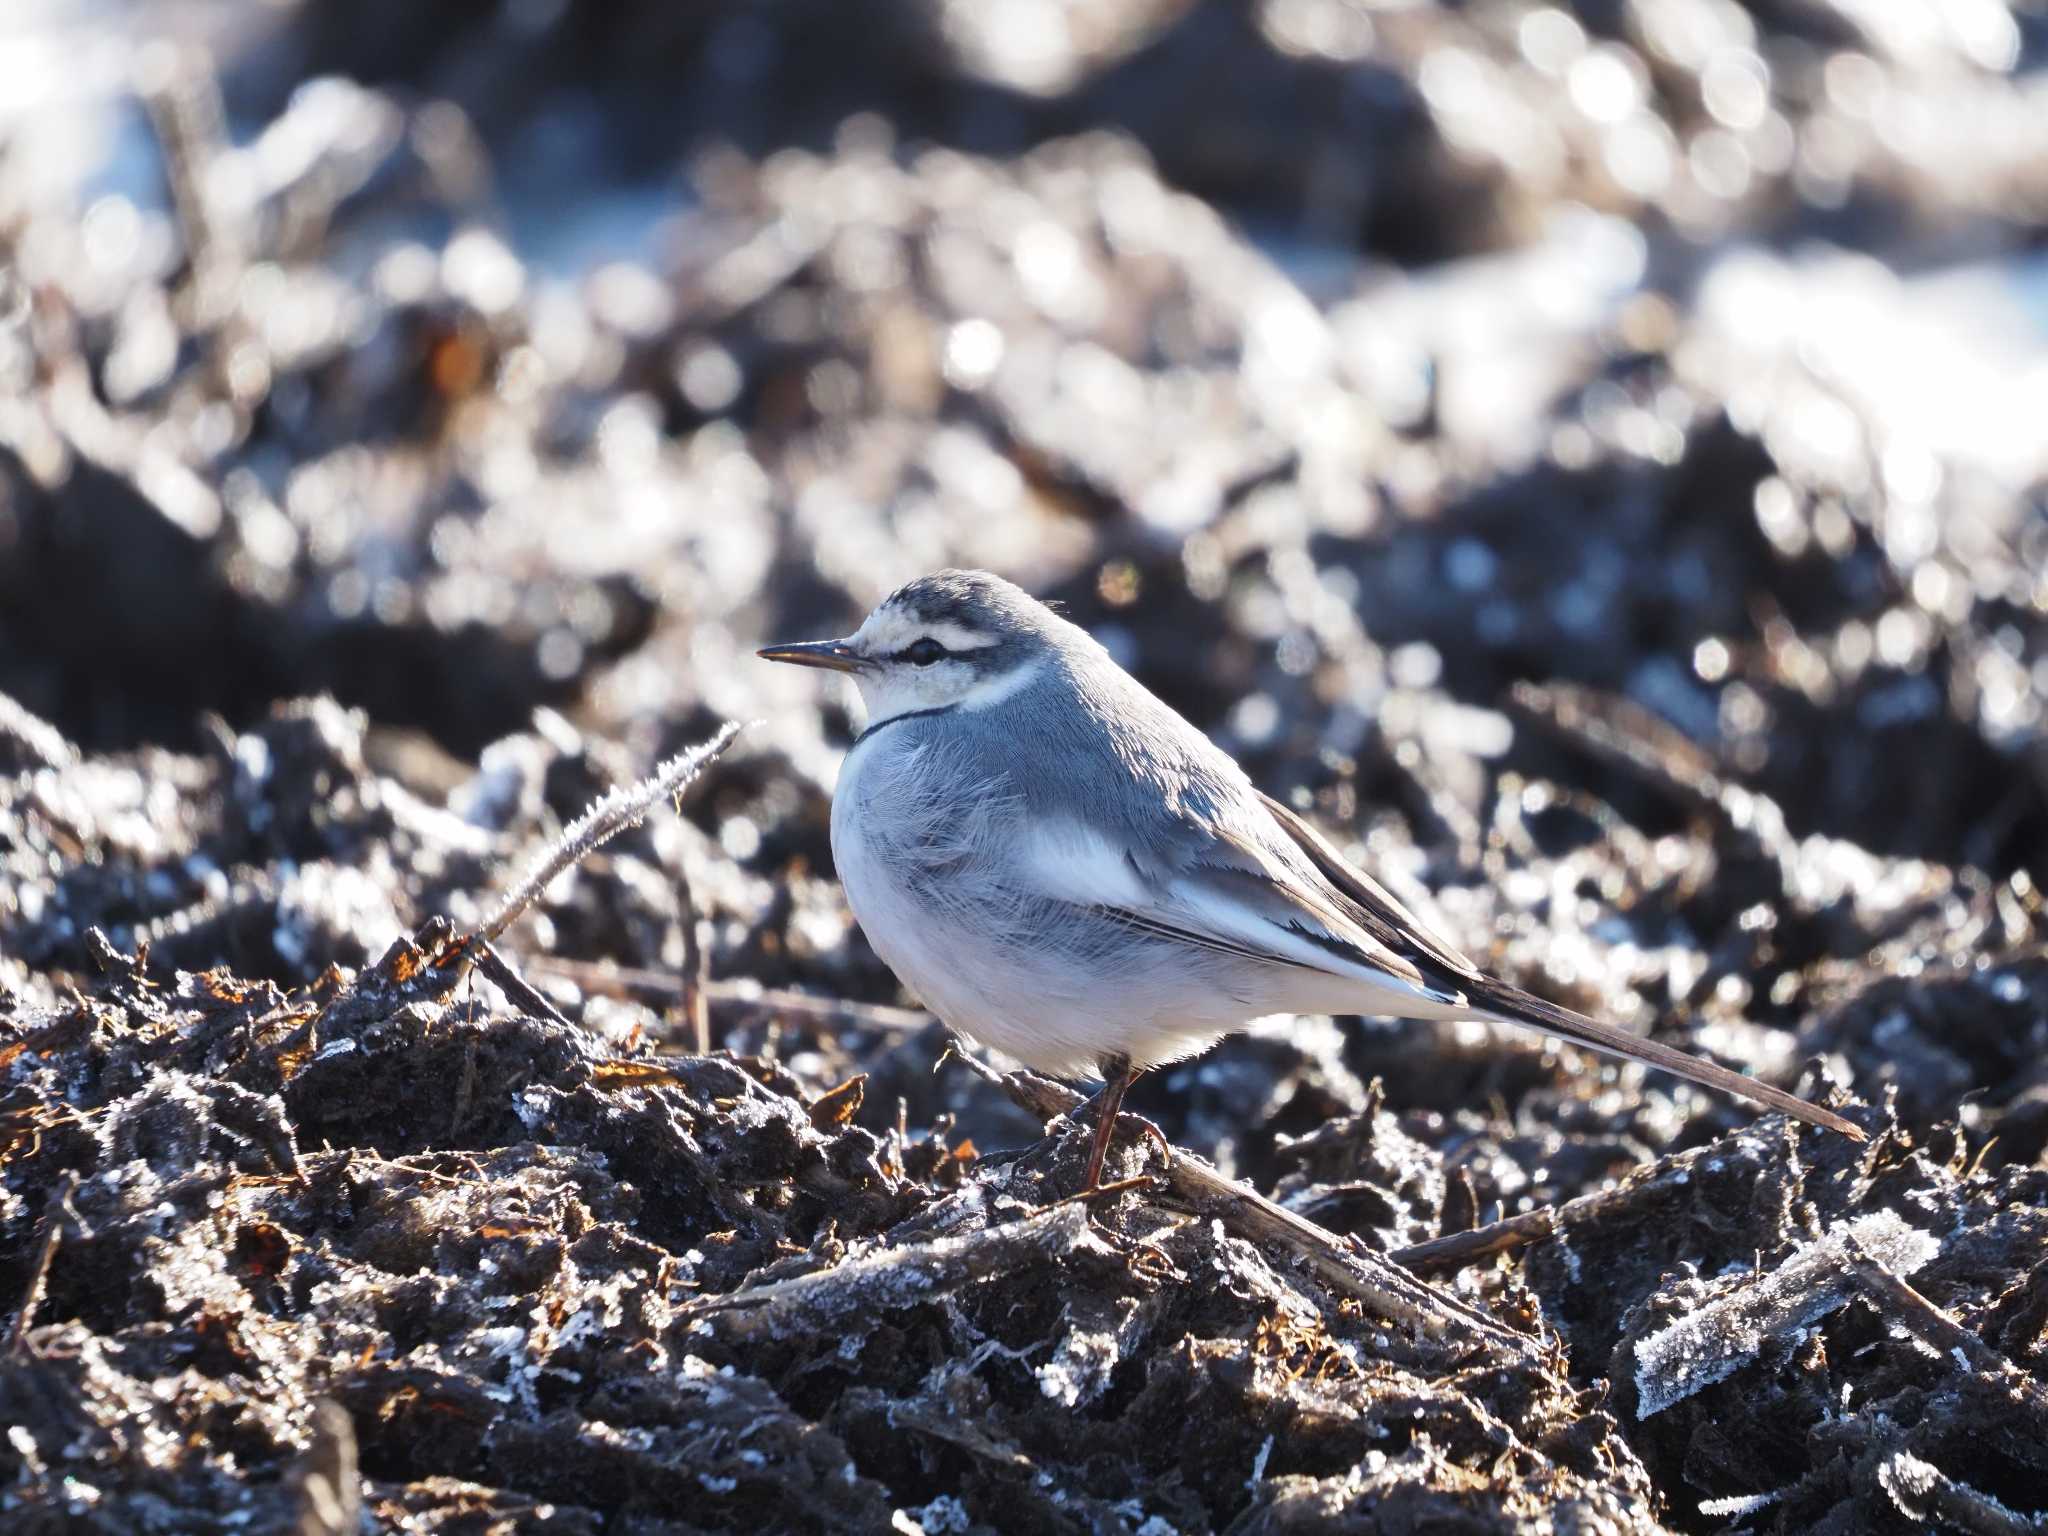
[[1363, 1275]]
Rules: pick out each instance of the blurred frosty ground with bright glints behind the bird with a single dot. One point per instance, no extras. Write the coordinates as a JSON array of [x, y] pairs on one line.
[[1340, 364]]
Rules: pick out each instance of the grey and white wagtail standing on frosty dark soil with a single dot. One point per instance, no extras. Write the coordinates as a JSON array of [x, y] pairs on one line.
[[1064, 869]]
